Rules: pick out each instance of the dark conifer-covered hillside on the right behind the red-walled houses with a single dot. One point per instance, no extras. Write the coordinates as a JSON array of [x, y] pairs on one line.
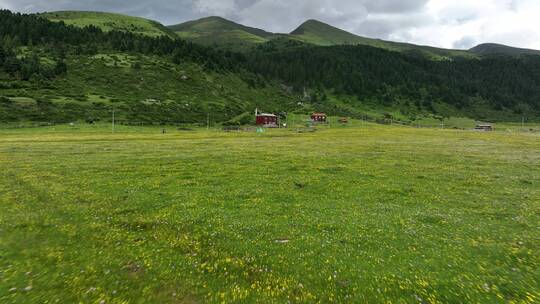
[[472, 87]]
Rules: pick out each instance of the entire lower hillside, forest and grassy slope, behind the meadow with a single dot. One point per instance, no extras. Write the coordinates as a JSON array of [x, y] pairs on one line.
[[50, 71]]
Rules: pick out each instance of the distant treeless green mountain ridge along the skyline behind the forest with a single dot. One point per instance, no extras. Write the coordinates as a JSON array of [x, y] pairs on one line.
[[221, 32]]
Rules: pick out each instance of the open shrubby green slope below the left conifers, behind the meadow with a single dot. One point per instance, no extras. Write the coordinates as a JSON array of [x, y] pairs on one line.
[[141, 89]]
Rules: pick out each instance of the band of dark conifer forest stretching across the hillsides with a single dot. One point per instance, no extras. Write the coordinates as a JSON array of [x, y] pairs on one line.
[[377, 75]]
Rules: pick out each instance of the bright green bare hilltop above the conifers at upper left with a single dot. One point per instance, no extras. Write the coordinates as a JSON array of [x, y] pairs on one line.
[[110, 21]]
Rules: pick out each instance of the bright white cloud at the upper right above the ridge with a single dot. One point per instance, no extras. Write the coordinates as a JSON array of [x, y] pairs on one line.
[[513, 22]]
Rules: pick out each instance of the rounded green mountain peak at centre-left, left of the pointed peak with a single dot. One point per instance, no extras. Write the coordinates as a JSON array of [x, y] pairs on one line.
[[222, 32]]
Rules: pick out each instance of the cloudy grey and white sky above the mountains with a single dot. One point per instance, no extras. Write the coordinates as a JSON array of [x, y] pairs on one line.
[[443, 23]]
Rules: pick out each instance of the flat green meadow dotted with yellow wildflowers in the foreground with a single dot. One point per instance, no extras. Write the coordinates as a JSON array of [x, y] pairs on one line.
[[356, 214]]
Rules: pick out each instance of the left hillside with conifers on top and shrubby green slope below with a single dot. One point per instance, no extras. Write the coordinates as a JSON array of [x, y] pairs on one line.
[[57, 73]]
